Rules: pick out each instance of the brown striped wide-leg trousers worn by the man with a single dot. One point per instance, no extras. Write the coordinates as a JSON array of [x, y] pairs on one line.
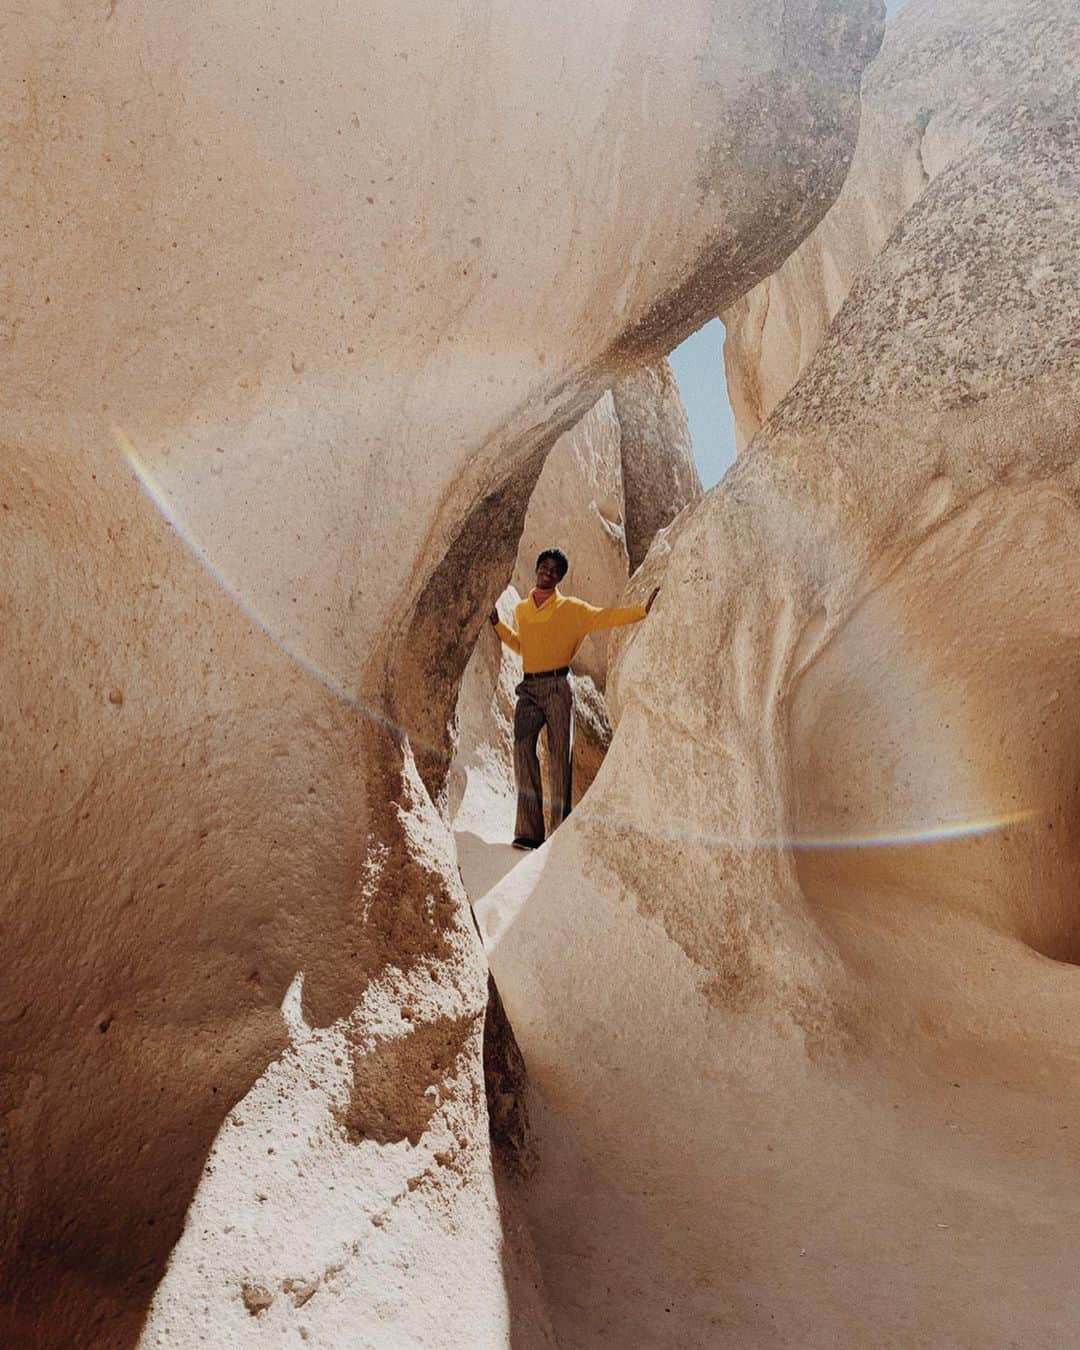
[[543, 701]]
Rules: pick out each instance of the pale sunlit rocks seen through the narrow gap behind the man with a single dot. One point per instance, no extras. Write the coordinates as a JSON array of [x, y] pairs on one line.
[[610, 487]]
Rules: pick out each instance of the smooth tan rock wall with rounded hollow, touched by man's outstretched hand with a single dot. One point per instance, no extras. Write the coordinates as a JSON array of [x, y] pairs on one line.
[[796, 988]]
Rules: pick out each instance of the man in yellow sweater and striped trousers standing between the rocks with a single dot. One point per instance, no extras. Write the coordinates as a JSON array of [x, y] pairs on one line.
[[549, 630]]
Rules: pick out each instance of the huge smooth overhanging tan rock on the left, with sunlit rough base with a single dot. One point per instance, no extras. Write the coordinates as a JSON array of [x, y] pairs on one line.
[[299, 298]]
